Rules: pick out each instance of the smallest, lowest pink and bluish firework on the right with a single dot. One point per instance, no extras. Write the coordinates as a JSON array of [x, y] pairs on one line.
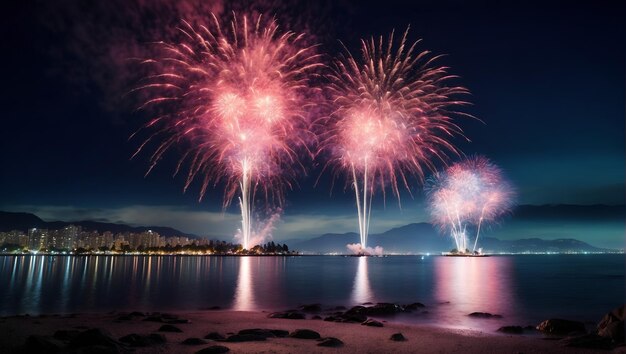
[[471, 192]]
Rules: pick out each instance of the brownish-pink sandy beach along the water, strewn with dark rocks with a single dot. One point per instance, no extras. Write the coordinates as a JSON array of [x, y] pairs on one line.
[[356, 338]]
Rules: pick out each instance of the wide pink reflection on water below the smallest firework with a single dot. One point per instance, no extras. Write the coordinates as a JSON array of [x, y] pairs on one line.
[[468, 284]]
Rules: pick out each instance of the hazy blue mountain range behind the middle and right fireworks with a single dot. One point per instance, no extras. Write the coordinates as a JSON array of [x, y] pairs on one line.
[[423, 238]]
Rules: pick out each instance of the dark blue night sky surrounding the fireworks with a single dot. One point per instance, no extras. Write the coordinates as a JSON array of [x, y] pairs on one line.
[[547, 79]]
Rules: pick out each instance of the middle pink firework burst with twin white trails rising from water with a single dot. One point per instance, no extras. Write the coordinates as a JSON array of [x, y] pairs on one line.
[[391, 119]]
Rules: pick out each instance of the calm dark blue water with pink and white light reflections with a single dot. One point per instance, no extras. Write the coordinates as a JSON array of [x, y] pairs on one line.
[[523, 289]]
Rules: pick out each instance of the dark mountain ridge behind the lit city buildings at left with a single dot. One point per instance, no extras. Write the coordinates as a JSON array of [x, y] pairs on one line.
[[23, 221]]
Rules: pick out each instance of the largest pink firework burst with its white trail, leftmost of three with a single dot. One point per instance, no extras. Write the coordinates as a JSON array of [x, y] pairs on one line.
[[237, 95]]
